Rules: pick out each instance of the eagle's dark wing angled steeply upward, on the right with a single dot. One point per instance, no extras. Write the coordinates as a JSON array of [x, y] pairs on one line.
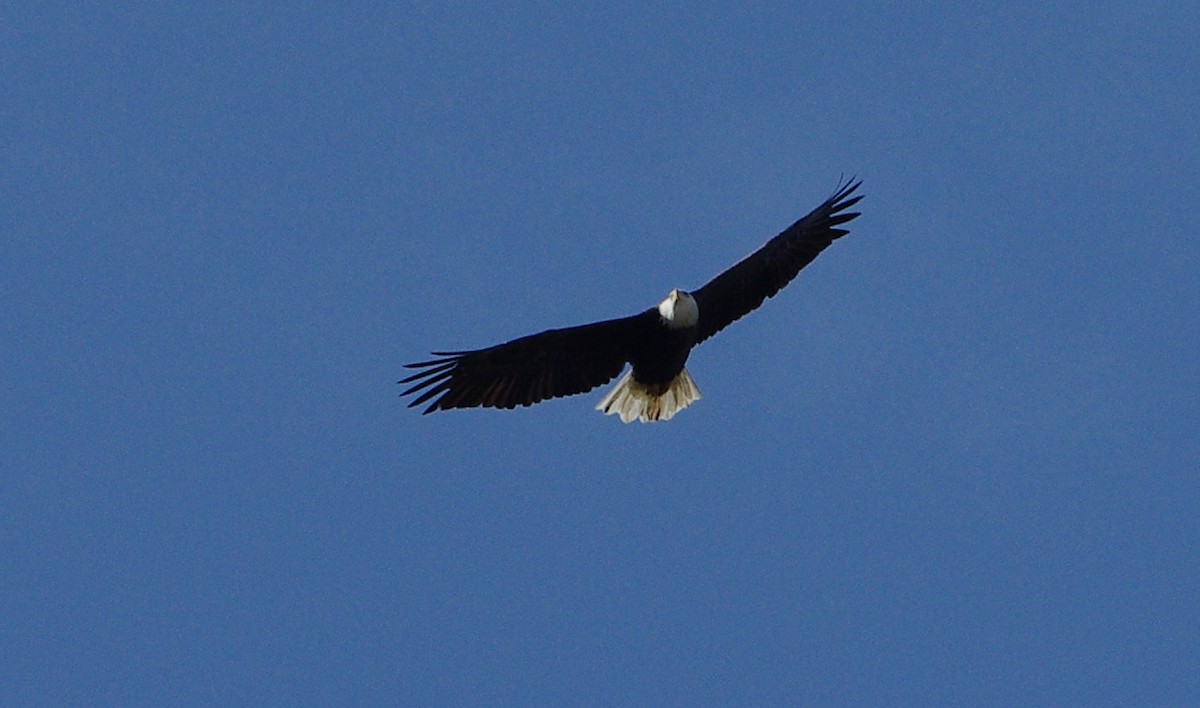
[[741, 290]]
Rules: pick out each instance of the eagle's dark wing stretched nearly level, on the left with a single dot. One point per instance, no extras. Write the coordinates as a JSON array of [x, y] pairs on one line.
[[523, 373]]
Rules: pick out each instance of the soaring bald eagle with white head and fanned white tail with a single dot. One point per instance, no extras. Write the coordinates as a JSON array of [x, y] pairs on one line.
[[656, 344]]
